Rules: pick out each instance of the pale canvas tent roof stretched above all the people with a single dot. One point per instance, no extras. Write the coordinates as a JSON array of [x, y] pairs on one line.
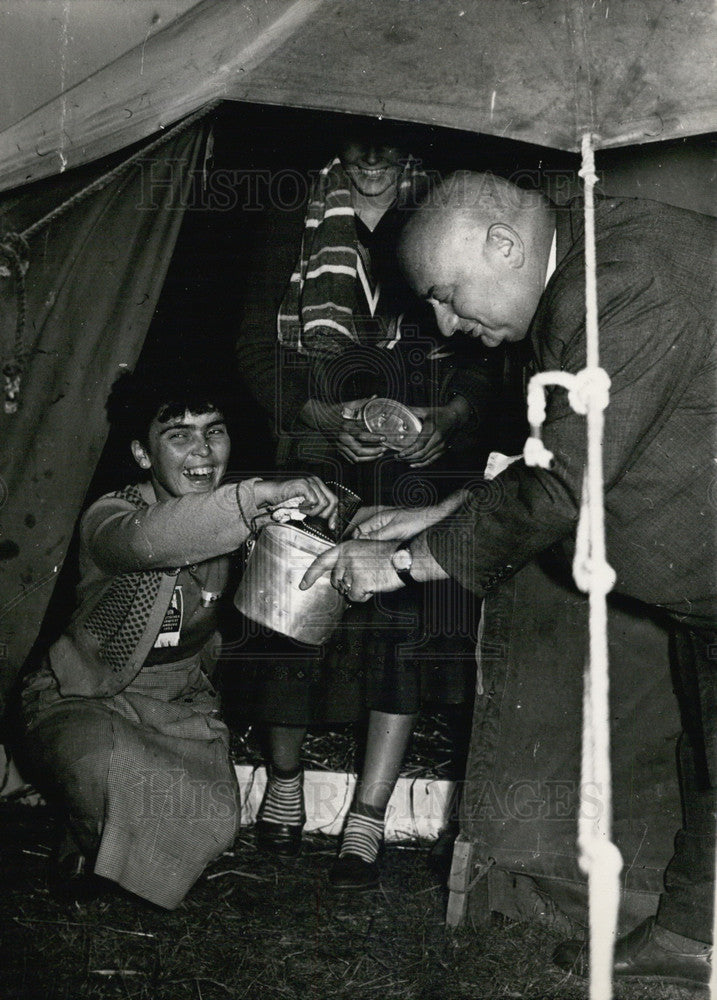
[[541, 71]]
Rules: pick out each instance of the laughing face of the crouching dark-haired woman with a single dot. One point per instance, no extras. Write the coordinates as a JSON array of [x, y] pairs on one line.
[[185, 454]]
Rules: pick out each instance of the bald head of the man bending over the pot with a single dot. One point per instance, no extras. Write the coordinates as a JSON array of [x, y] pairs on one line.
[[478, 249]]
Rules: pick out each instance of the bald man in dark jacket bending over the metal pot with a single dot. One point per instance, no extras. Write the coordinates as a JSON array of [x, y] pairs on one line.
[[480, 252]]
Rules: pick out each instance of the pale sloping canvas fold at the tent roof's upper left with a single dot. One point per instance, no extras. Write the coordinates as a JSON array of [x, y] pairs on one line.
[[176, 71]]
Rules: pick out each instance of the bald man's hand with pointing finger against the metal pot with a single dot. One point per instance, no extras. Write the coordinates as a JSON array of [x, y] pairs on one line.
[[359, 569]]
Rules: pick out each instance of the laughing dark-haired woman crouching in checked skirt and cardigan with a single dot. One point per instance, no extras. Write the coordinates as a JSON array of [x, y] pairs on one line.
[[123, 727]]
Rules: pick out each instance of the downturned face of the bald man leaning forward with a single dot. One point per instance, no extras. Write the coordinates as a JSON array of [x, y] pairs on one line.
[[474, 279]]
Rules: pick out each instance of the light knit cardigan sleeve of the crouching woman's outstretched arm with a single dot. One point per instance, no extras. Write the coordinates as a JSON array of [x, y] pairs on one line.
[[170, 533]]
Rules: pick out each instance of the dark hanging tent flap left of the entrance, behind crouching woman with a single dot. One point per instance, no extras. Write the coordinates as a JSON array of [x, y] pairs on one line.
[[92, 285]]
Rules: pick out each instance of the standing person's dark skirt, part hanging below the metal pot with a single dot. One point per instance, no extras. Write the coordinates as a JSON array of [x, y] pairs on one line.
[[390, 654]]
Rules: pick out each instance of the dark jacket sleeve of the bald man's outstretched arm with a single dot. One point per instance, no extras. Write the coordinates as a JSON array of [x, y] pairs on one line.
[[649, 349]]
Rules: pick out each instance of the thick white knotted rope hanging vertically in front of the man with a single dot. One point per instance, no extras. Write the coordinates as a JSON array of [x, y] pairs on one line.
[[588, 394]]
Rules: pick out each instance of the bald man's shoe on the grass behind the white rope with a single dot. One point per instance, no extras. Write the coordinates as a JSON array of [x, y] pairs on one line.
[[638, 954]]
